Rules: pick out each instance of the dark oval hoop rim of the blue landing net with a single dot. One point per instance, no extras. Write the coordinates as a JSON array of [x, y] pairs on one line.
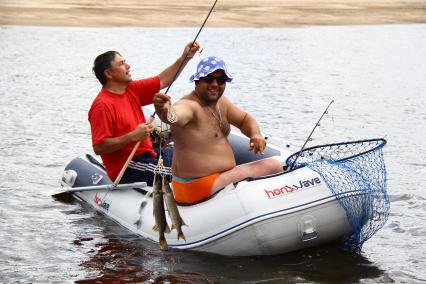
[[380, 142]]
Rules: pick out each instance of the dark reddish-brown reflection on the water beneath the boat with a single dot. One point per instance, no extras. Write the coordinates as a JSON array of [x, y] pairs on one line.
[[121, 256]]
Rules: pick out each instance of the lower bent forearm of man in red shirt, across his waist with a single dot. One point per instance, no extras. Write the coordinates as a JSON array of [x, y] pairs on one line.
[[142, 131]]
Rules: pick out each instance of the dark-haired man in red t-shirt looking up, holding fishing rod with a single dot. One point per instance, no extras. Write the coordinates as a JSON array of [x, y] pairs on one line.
[[117, 120]]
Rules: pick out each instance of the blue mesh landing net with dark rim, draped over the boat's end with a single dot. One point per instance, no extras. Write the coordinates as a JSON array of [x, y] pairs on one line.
[[355, 172]]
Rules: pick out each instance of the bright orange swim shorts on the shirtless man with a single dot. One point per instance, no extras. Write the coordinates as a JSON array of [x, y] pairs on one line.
[[193, 190]]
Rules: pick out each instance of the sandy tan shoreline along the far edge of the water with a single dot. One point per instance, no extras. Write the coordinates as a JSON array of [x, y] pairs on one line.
[[227, 13]]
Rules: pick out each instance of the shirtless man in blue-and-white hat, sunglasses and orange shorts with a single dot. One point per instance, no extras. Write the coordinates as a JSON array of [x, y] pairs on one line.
[[203, 161]]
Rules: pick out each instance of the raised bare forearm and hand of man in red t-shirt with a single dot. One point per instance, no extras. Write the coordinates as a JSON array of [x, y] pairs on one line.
[[168, 74]]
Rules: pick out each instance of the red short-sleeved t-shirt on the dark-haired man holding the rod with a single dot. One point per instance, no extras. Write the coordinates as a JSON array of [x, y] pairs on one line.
[[113, 115]]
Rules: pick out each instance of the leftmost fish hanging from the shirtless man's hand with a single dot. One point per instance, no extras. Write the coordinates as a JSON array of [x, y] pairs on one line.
[[159, 213]]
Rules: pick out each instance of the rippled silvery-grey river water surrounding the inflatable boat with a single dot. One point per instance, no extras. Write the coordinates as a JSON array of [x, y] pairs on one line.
[[285, 77]]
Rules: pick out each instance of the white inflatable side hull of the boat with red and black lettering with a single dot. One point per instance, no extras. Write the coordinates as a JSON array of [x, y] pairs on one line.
[[266, 216]]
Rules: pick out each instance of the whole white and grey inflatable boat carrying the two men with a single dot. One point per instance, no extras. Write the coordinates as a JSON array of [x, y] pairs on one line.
[[302, 207]]
